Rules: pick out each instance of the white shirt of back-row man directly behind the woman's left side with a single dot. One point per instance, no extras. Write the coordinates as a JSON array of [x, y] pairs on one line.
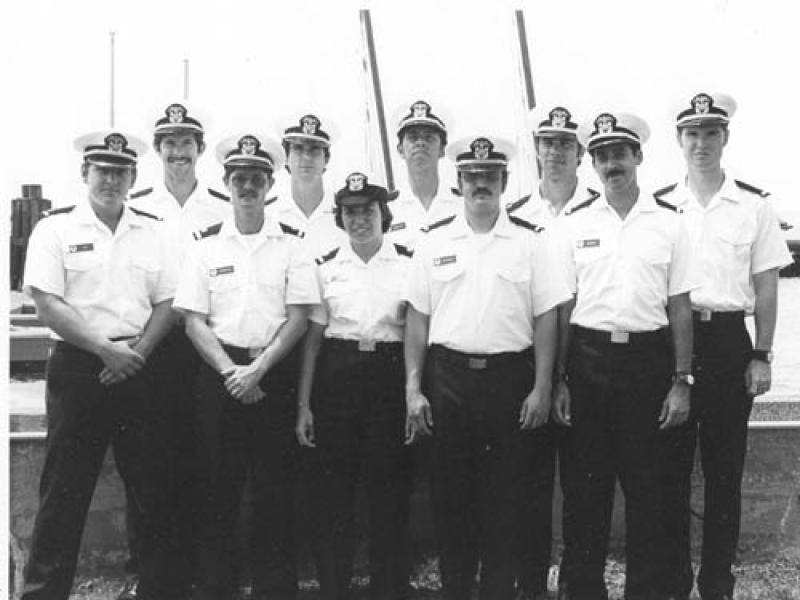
[[318, 231]]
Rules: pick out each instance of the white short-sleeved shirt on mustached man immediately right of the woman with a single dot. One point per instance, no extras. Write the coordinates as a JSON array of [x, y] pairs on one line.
[[482, 292]]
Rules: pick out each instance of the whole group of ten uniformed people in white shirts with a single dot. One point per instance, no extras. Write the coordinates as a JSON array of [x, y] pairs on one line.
[[213, 337]]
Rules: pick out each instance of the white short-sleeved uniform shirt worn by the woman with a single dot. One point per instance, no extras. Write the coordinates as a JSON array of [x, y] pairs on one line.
[[363, 301]]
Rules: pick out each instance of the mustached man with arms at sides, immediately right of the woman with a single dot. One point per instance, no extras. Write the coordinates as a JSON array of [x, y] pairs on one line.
[[482, 293]]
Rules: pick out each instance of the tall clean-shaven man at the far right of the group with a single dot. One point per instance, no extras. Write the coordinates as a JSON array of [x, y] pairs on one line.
[[739, 249]]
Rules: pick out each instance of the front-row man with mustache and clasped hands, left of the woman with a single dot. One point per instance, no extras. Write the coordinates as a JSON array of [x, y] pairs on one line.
[[245, 294]]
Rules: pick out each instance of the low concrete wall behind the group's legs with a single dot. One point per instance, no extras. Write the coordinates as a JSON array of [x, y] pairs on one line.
[[771, 499]]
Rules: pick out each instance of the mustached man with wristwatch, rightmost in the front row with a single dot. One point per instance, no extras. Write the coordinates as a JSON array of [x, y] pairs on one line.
[[624, 363]]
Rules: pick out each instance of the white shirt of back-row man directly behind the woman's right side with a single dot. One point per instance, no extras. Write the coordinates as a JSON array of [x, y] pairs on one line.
[[409, 217]]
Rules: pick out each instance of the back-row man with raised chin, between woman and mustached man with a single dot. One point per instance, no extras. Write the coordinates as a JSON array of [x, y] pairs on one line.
[[421, 142]]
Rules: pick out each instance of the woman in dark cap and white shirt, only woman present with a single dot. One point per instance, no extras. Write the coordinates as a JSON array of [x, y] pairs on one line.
[[351, 405]]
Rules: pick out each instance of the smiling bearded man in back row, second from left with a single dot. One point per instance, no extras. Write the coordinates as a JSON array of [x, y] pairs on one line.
[[185, 206]]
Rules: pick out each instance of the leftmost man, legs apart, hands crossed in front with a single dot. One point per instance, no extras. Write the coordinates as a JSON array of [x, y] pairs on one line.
[[102, 277]]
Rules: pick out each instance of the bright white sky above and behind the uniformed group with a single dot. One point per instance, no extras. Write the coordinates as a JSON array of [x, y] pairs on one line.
[[252, 63]]
